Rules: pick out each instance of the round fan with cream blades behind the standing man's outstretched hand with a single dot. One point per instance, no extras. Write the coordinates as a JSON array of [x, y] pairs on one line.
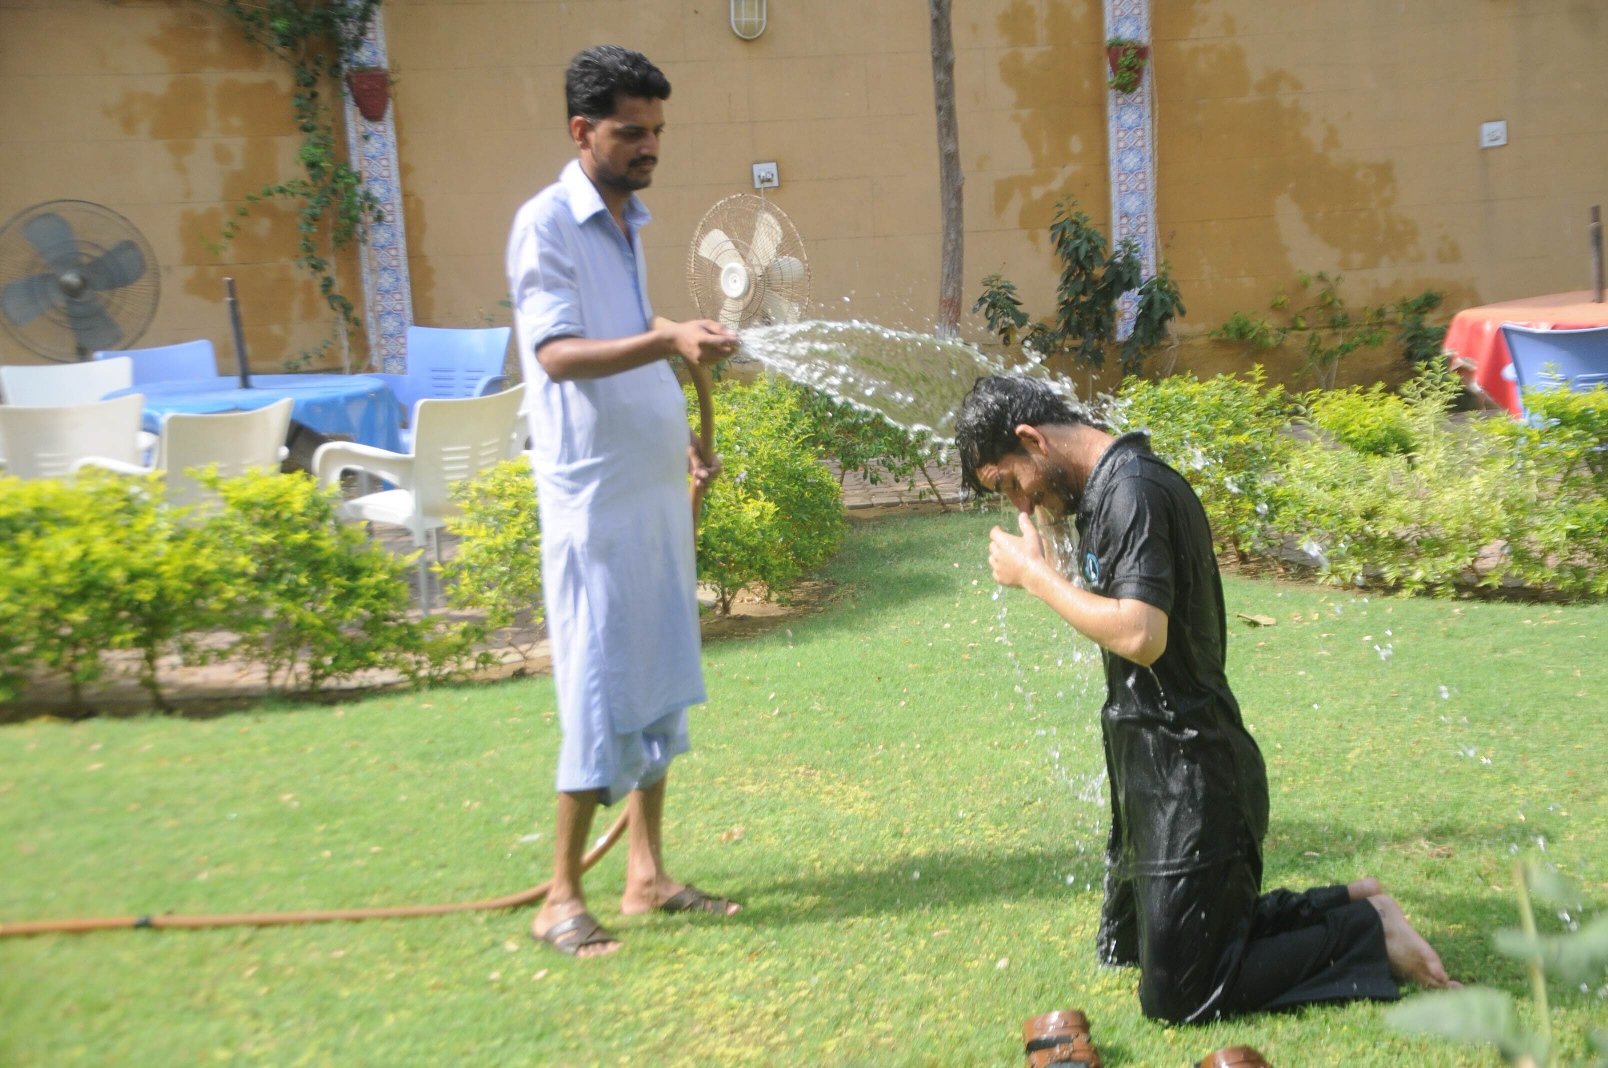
[[747, 265]]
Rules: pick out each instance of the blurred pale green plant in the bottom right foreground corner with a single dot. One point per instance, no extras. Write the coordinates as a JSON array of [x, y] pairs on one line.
[[1490, 1017]]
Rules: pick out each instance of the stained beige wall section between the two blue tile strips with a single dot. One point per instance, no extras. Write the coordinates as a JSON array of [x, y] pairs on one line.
[[837, 92]]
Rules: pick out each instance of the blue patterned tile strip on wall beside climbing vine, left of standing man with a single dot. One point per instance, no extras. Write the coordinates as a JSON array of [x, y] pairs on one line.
[[388, 294]]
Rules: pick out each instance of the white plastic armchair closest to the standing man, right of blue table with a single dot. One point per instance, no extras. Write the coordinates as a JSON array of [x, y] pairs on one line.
[[453, 440]]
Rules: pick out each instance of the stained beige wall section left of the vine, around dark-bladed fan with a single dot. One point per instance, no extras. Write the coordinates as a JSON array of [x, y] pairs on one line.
[[162, 112]]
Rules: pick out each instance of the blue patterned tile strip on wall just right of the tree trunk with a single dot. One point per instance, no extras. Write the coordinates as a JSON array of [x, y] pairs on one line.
[[1131, 154]]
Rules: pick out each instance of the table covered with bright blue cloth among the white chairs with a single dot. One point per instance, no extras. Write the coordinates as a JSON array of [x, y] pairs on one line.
[[356, 408]]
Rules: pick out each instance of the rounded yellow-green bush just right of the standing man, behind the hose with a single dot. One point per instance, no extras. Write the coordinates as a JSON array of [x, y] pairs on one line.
[[776, 512]]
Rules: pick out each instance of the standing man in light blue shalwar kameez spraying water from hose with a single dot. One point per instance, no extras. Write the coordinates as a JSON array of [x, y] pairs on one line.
[[612, 456]]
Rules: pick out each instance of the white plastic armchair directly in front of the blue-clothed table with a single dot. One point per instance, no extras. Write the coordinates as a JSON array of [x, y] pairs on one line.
[[234, 442]]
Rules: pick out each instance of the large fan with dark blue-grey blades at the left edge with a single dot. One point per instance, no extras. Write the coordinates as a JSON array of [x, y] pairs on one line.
[[75, 277]]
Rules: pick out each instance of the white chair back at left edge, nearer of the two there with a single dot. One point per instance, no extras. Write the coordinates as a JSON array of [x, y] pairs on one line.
[[51, 442]]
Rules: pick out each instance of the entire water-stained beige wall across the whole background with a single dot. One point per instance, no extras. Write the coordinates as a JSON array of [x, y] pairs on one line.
[[1289, 138]]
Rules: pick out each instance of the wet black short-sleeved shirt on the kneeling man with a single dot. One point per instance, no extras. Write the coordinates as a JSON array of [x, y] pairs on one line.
[[1188, 781]]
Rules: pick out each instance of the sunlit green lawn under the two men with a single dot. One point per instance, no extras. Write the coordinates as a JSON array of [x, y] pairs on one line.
[[903, 786]]
